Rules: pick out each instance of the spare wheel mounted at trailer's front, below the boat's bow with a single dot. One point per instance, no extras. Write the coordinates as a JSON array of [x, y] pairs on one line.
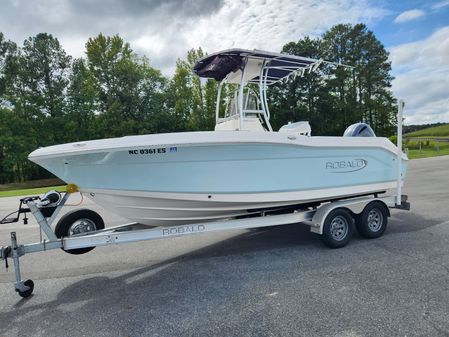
[[78, 222]]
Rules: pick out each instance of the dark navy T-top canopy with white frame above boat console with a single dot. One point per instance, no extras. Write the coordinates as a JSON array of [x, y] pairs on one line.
[[229, 63]]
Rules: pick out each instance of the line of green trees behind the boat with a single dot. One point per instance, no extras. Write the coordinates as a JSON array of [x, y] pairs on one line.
[[47, 97]]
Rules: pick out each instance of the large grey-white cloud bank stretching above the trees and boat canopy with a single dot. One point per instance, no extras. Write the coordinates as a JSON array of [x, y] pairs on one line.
[[165, 29]]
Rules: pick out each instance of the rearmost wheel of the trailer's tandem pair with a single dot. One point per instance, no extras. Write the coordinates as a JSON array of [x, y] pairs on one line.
[[372, 222]]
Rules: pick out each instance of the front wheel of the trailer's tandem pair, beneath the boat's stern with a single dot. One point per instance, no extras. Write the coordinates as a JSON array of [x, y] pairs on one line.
[[338, 228]]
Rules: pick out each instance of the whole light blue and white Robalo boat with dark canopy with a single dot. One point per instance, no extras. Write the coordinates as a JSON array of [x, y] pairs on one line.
[[241, 168]]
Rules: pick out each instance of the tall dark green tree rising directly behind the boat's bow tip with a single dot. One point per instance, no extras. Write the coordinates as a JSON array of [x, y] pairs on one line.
[[38, 92]]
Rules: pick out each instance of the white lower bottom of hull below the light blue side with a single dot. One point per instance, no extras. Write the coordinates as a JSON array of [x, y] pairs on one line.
[[167, 209]]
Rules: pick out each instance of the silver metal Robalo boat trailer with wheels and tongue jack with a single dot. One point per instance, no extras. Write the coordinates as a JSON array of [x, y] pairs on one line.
[[79, 231]]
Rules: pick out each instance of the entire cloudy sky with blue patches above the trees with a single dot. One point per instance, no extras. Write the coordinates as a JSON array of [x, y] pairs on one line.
[[415, 32]]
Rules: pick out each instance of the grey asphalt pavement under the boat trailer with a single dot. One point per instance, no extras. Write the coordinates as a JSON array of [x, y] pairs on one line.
[[270, 282]]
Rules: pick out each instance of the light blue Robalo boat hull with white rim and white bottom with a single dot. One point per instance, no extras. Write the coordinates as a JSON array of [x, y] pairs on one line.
[[183, 181]]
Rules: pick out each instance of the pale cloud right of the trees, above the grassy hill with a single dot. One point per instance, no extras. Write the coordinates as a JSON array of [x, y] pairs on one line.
[[422, 77]]
